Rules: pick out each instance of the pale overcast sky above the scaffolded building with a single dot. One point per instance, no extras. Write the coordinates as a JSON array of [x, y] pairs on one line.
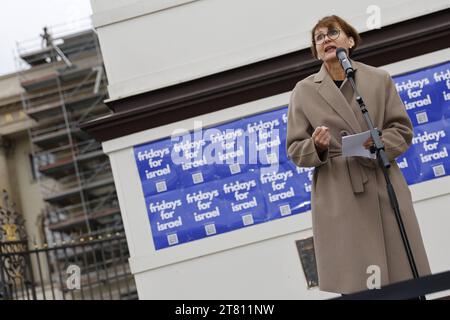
[[22, 20]]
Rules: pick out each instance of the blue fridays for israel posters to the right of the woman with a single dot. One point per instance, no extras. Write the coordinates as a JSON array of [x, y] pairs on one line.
[[426, 96]]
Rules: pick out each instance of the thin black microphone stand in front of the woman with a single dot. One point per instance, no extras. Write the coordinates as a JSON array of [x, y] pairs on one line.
[[383, 162]]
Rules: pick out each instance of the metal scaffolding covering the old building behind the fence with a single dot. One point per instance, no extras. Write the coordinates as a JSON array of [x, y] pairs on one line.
[[64, 84]]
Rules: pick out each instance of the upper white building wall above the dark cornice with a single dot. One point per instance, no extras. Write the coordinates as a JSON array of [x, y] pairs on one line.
[[152, 44]]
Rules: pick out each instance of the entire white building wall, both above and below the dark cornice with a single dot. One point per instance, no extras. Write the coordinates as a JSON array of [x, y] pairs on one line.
[[147, 46]]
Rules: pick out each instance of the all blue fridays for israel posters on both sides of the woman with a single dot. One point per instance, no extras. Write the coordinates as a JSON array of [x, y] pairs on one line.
[[236, 175]]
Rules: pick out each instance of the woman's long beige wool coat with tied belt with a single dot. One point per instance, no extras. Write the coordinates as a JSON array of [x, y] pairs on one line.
[[354, 226]]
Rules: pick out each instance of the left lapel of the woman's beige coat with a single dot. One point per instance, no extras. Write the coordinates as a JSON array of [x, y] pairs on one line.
[[335, 98]]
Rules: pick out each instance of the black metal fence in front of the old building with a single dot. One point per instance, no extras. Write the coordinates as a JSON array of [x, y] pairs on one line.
[[94, 268]]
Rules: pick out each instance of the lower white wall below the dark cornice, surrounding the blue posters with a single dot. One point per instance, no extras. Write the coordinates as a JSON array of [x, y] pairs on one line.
[[260, 262]]
